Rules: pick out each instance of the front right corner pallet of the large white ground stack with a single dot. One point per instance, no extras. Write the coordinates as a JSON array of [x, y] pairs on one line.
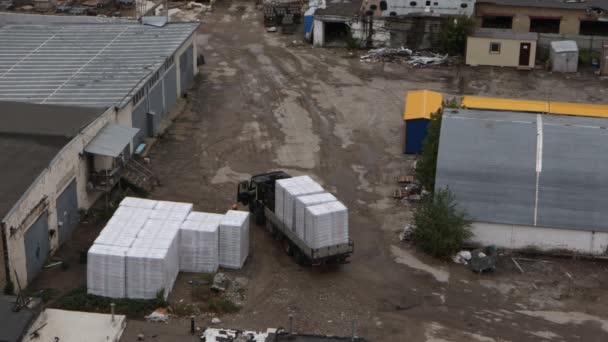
[[149, 270]]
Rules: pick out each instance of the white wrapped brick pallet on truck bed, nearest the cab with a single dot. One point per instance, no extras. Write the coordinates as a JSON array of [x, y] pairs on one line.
[[286, 192]]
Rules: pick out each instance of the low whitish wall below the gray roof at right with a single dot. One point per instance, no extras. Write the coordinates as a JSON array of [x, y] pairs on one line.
[[546, 239]]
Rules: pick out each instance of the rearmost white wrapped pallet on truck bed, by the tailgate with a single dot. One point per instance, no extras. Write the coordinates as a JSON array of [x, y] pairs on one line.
[[326, 224]]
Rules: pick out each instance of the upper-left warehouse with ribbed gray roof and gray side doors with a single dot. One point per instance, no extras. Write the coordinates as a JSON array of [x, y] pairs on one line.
[[141, 70]]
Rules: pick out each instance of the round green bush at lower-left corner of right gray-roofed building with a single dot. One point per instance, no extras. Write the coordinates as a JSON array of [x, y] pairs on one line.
[[440, 228]]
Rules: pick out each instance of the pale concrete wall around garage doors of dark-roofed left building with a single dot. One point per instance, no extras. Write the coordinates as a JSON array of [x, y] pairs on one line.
[[69, 164]]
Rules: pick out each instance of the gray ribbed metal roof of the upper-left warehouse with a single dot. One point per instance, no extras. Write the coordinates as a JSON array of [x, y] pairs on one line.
[[84, 65]]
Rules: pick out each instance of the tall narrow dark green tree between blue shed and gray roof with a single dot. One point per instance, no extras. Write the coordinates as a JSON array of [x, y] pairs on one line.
[[426, 166]]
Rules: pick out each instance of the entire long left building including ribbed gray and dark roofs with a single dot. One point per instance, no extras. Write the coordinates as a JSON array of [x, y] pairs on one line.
[[76, 102]]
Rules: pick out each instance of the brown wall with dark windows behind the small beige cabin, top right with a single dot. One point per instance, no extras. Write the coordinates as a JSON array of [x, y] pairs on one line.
[[570, 19]]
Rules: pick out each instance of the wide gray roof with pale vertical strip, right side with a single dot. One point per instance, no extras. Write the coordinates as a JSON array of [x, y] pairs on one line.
[[490, 161]]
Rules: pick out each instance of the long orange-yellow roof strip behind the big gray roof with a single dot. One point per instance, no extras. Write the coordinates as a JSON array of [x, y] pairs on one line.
[[551, 107]]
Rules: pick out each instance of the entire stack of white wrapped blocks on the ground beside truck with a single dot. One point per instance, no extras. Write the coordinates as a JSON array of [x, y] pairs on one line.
[[141, 249]]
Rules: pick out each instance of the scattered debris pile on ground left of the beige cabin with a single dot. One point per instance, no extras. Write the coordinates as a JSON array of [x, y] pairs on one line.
[[397, 55]]
